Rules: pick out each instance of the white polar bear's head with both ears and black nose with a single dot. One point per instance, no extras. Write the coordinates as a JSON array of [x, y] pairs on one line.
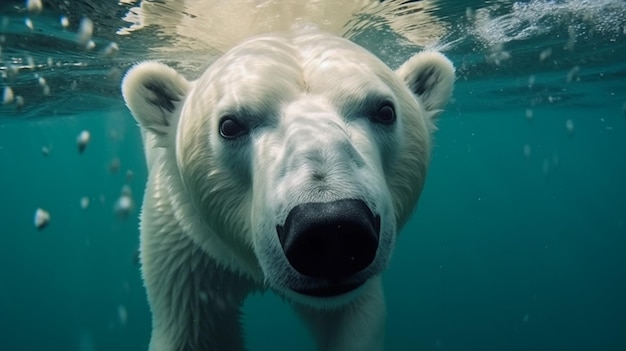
[[302, 154]]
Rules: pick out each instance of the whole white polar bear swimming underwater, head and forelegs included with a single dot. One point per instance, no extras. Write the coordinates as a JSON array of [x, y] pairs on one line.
[[289, 165]]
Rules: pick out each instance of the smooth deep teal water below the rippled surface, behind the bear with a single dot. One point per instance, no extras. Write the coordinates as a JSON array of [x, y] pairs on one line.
[[498, 256]]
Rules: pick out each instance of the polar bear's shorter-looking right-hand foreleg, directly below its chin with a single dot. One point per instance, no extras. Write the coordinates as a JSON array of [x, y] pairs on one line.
[[358, 326]]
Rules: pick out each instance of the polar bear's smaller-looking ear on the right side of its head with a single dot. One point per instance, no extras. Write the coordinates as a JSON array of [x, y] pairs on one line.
[[430, 76]]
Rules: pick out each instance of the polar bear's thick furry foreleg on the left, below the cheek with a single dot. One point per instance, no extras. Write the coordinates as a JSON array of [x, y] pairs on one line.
[[195, 303]]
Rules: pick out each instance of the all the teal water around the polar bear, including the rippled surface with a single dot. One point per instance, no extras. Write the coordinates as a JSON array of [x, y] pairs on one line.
[[518, 243]]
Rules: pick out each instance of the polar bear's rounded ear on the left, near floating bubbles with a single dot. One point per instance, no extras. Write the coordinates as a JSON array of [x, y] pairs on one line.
[[153, 92]]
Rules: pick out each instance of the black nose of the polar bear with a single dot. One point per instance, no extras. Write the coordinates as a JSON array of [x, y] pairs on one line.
[[330, 240]]
